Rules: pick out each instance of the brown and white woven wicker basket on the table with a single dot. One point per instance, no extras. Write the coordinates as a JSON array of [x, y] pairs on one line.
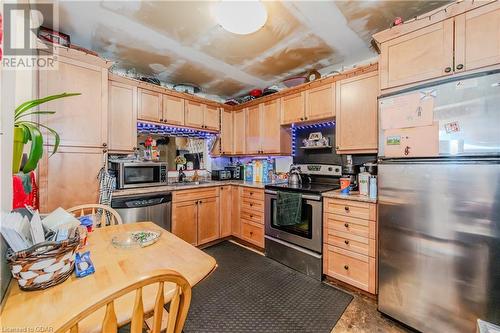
[[43, 265]]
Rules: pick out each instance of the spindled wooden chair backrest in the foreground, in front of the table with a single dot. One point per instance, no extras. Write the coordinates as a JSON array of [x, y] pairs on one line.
[[177, 314]]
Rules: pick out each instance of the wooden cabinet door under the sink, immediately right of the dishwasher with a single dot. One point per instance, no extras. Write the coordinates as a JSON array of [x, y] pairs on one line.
[[185, 221]]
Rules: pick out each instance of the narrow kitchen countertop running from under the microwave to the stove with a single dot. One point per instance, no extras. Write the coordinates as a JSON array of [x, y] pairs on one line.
[[170, 188]]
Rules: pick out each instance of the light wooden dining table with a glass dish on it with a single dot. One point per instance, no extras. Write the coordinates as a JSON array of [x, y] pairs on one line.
[[47, 310]]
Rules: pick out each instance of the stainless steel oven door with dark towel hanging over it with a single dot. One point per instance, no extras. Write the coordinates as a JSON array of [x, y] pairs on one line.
[[308, 233]]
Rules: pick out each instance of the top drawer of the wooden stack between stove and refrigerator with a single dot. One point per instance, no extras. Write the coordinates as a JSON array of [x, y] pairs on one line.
[[349, 208]]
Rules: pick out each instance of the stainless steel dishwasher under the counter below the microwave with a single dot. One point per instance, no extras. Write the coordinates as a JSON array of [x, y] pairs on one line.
[[156, 207]]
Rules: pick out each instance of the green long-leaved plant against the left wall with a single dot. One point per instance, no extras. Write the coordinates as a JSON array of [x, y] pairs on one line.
[[26, 130]]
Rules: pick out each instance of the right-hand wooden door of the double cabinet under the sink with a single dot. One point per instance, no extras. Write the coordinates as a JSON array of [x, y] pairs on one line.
[[208, 220]]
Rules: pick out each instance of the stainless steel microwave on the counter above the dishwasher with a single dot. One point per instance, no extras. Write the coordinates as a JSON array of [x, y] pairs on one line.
[[139, 174]]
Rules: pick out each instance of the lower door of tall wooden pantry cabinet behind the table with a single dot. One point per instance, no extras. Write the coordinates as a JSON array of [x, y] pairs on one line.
[[62, 188]]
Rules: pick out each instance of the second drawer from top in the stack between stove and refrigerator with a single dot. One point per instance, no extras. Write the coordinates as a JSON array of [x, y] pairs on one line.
[[352, 225]]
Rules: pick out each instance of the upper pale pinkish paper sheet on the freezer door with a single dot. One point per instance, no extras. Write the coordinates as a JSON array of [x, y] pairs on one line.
[[409, 110]]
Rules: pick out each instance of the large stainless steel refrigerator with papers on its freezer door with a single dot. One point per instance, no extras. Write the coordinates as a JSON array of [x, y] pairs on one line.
[[439, 204]]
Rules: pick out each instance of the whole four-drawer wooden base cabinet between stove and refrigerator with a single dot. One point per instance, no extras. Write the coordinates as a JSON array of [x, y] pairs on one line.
[[350, 242]]
